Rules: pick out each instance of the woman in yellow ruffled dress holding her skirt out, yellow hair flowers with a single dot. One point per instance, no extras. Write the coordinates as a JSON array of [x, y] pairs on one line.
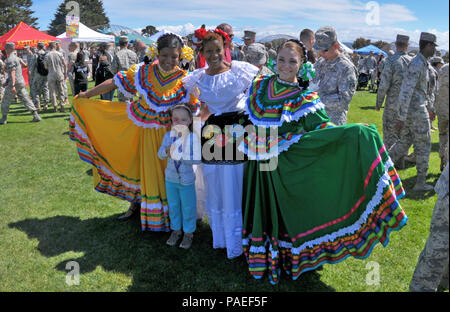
[[121, 140]]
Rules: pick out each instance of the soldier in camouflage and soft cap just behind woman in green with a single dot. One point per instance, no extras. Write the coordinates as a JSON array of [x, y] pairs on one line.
[[336, 76]]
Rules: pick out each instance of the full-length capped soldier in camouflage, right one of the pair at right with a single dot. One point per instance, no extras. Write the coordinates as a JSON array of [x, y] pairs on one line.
[[413, 117]]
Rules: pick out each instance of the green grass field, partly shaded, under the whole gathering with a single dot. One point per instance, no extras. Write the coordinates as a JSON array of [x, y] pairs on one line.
[[51, 215]]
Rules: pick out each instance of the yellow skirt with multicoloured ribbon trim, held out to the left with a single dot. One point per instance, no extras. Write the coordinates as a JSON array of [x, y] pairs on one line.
[[124, 153]]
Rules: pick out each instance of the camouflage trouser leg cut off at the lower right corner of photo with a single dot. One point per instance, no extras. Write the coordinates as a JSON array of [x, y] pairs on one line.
[[432, 267]]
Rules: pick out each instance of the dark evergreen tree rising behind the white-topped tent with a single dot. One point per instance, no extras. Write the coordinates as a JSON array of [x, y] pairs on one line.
[[92, 14]]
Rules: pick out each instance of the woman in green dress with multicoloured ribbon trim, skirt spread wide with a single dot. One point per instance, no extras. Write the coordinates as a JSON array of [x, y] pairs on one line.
[[314, 193]]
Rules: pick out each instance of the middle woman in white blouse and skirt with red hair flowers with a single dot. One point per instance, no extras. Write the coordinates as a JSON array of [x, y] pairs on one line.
[[222, 88]]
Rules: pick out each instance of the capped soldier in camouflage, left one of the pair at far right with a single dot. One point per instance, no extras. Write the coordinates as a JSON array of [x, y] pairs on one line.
[[390, 83]]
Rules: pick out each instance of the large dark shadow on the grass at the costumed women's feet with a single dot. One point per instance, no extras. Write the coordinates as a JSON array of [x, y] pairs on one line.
[[153, 266]]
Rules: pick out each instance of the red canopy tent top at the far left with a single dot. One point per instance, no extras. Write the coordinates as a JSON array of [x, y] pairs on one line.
[[23, 35]]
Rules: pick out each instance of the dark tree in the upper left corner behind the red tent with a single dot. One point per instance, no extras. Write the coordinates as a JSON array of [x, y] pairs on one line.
[[14, 12]]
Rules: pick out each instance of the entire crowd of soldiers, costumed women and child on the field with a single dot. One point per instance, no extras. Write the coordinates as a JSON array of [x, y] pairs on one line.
[[297, 95]]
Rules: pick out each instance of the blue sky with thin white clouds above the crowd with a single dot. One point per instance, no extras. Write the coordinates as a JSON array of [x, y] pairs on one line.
[[376, 20]]
